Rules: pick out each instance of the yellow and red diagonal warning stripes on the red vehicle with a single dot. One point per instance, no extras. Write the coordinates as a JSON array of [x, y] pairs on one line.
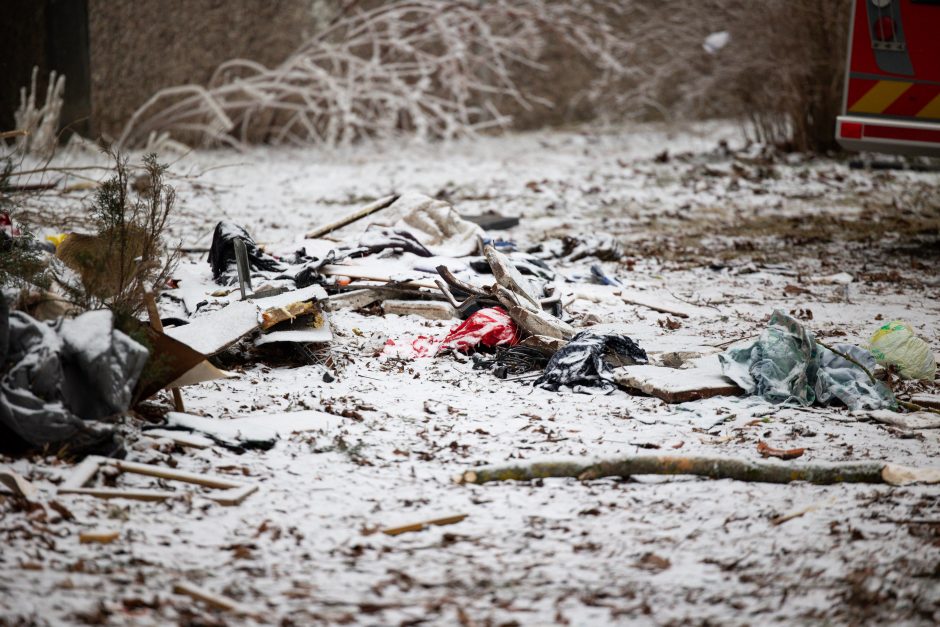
[[894, 98]]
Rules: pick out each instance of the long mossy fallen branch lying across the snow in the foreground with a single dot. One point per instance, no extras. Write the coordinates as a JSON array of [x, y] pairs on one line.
[[713, 467]]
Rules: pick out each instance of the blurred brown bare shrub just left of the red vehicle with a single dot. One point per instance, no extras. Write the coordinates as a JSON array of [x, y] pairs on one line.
[[781, 72]]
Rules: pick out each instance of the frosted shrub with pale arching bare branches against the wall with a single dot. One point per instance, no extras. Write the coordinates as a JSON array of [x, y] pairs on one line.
[[423, 67]]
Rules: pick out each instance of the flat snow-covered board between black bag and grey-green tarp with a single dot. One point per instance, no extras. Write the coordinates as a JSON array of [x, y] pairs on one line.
[[675, 386]]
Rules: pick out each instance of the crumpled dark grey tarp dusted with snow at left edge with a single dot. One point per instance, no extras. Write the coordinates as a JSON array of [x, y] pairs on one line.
[[57, 380]]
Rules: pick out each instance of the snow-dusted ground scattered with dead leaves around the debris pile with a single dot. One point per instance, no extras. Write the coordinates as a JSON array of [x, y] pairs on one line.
[[731, 232]]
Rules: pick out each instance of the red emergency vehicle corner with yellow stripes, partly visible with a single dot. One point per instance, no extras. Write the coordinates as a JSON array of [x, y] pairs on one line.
[[892, 81]]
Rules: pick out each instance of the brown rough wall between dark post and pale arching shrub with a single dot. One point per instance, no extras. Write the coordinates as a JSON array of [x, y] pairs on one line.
[[140, 46]]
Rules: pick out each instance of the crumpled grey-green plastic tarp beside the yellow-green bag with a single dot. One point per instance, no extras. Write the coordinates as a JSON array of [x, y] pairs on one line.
[[786, 365]]
